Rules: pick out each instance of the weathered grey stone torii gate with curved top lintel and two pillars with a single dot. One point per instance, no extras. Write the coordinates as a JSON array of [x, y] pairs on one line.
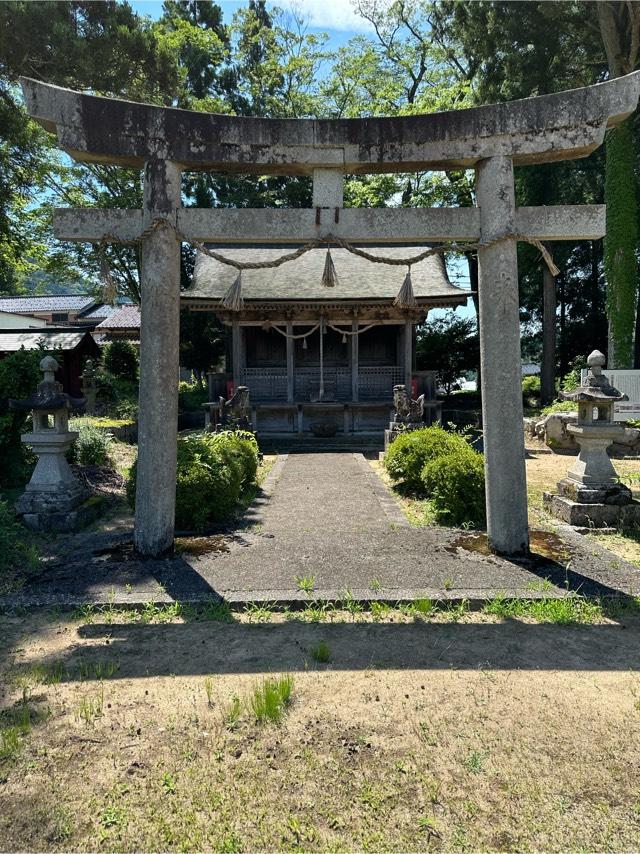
[[491, 139]]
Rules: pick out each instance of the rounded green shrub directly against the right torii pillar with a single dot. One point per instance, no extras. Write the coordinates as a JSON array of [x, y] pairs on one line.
[[454, 483]]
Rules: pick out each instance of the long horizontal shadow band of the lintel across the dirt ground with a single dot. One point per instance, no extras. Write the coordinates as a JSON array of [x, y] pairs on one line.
[[188, 649]]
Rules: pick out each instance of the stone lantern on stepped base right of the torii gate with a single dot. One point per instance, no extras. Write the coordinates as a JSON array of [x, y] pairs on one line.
[[591, 495]]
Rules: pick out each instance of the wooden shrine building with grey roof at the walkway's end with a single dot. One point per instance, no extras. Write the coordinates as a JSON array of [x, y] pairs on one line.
[[320, 359]]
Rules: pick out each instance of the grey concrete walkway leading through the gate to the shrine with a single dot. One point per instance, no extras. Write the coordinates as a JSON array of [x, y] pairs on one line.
[[327, 518]]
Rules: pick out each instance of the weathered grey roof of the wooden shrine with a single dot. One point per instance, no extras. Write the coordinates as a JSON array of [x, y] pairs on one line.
[[300, 281]]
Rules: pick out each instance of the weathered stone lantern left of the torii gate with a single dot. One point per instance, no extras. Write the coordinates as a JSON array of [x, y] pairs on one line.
[[53, 497]]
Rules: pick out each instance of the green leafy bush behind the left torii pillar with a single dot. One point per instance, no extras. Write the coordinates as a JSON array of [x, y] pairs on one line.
[[212, 472]]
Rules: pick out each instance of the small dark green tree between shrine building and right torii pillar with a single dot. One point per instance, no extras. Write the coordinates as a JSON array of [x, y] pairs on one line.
[[449, 346]]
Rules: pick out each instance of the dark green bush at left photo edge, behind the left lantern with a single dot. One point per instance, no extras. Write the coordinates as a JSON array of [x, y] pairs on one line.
[[19, 376]]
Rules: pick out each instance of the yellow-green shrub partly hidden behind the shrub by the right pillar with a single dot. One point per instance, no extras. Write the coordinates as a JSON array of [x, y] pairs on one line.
[[409, 453]]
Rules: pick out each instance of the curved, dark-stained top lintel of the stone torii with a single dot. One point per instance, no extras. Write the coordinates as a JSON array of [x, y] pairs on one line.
[[533, 130]]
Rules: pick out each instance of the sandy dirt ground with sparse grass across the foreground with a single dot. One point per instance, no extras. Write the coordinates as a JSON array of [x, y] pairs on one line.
[[475, 734]]
